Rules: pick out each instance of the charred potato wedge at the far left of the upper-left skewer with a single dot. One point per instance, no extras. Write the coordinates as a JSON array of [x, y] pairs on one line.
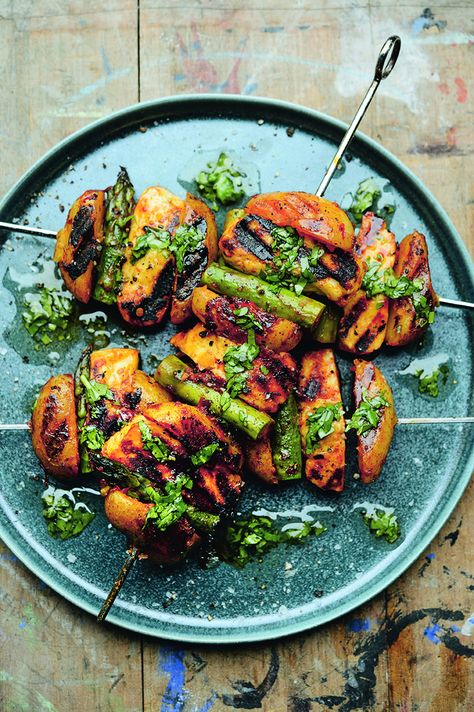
[[78, 243]]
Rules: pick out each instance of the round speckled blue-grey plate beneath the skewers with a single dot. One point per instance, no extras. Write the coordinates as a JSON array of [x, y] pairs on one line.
[[297, 587]]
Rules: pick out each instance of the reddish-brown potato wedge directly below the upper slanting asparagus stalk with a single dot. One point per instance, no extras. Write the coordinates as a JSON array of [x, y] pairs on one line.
[[217, 313]]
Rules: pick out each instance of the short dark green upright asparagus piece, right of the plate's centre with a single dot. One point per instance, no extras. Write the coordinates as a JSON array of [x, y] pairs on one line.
[[286, 442]]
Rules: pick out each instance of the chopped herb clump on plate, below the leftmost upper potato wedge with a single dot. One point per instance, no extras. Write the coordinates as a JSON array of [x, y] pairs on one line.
[[47, 315]]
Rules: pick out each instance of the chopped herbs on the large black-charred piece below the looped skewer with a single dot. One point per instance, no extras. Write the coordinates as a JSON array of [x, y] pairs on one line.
[[291, 265]]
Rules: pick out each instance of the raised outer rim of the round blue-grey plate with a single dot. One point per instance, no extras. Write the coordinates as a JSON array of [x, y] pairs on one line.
[[279, 628]]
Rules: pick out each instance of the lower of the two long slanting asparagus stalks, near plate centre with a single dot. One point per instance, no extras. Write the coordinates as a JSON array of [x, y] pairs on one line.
[[171, 373]]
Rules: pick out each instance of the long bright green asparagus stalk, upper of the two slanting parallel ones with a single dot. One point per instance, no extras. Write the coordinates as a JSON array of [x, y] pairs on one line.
[[300, 309]]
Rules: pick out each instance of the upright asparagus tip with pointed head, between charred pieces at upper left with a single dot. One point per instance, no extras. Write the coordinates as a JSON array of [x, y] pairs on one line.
[[120, 205]]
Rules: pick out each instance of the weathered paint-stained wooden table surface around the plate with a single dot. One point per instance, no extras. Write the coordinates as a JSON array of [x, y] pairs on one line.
[[69, 62]]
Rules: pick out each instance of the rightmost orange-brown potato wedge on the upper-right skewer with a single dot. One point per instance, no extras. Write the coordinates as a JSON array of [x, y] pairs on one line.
[[404, 324]]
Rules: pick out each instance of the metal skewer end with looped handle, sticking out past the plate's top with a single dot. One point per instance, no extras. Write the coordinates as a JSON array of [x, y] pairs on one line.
[[385, 63]]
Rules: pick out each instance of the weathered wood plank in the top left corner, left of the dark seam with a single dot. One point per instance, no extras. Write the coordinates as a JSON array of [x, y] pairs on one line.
[[65, 64]]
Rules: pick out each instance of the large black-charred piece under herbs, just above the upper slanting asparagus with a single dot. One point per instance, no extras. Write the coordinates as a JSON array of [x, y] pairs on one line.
[[246, 244]]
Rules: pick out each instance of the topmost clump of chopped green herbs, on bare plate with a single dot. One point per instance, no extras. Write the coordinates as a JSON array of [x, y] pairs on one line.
[[221, 183]]
